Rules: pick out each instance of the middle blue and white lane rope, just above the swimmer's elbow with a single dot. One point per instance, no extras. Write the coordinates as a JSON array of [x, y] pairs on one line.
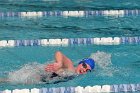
[[71, 41]]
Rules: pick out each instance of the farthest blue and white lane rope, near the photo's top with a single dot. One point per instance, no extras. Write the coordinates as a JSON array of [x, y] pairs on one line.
[[120, 13]]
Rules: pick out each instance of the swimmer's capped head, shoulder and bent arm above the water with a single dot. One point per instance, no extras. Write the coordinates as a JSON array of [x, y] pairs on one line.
[[64, 63]]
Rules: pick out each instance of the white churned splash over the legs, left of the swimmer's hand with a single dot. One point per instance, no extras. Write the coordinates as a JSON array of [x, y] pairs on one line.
[[28, 74]]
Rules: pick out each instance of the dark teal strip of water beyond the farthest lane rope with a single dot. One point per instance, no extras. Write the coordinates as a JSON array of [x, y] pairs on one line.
[[42, 5]]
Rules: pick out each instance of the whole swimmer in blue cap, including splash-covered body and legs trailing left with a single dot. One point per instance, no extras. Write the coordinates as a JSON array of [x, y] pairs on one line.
[[61, 69]]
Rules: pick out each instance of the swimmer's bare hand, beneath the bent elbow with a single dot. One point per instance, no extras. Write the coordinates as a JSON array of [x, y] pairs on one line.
[[53, 67]]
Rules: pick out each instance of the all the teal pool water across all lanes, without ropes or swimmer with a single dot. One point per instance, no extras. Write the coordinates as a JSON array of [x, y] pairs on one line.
[[115, 64]]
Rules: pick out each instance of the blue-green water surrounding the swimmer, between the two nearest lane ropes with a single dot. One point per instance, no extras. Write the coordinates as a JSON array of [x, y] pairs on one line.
[[117, 64]]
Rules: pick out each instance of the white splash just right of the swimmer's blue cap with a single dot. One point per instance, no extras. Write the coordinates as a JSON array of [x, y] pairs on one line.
[[103, 61]]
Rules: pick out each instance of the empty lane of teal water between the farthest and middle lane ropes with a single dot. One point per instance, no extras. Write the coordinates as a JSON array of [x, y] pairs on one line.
[[57, 27]]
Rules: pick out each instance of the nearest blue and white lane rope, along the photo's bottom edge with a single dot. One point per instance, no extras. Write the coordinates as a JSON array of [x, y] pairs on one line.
[[88, 89]]
